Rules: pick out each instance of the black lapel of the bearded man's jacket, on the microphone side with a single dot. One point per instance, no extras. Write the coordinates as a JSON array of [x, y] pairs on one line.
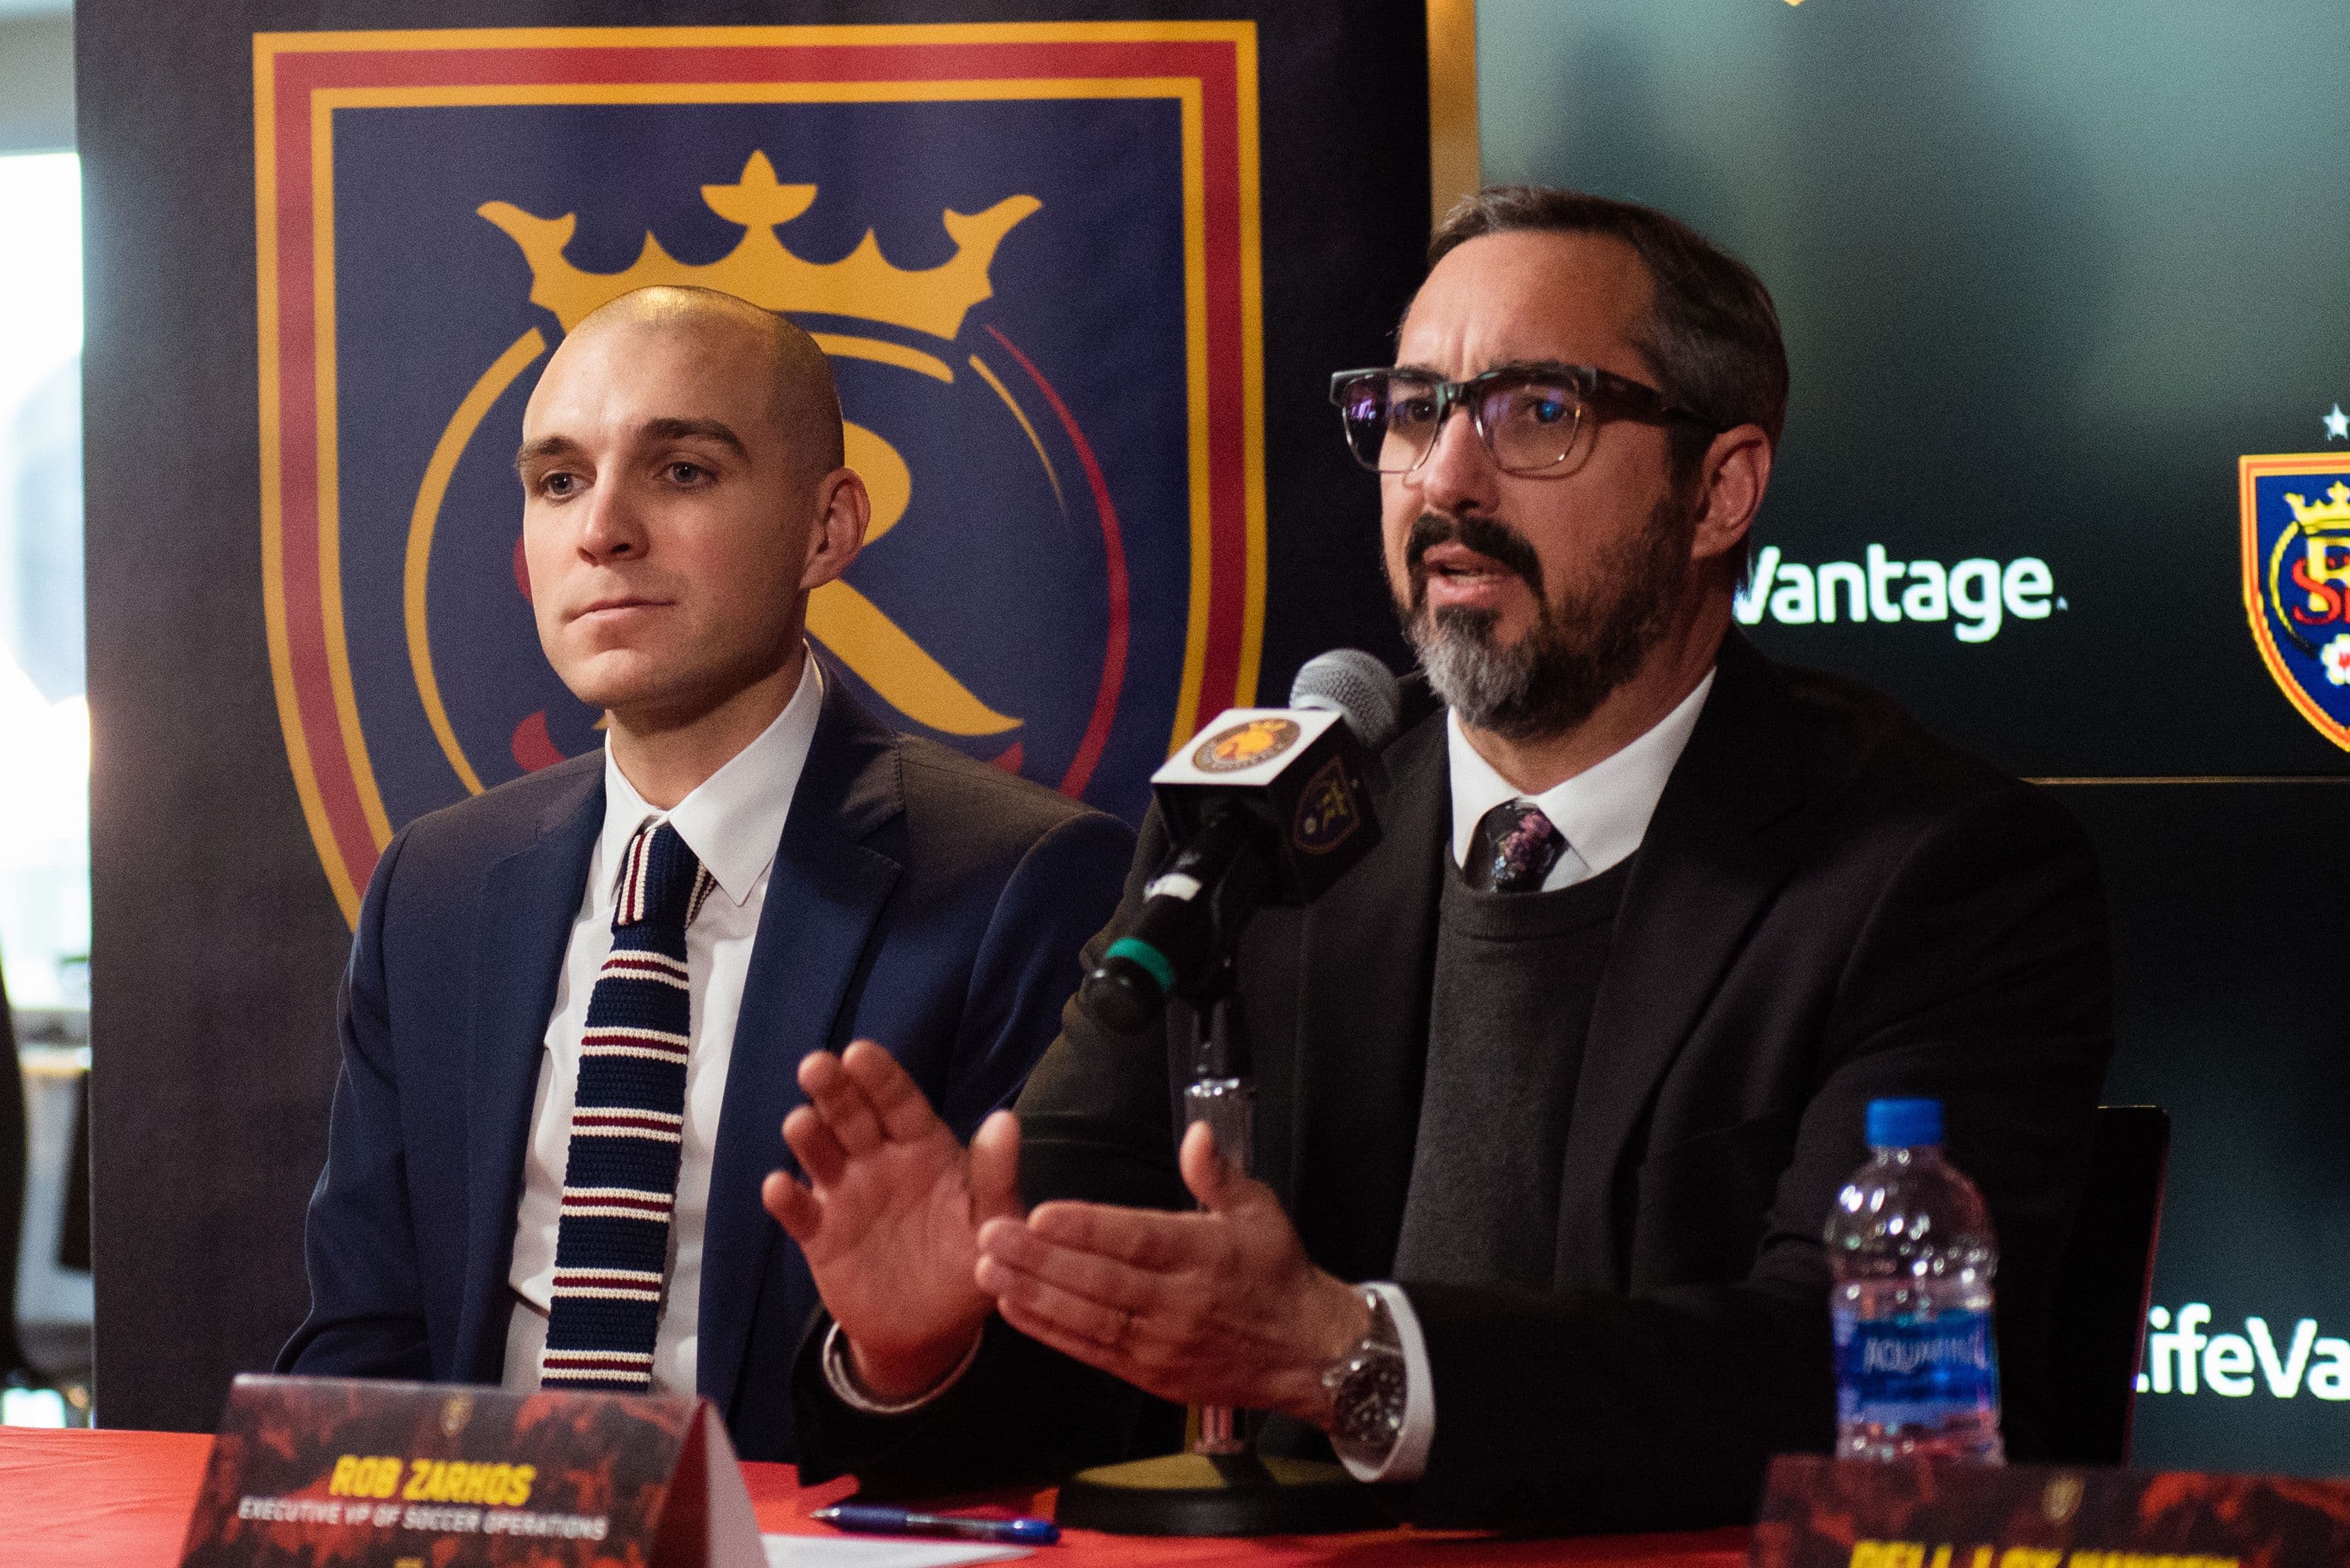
[[1364, 1012]]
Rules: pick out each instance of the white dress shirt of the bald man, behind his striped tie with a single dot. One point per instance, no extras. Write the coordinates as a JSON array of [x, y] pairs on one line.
[[732, 824]]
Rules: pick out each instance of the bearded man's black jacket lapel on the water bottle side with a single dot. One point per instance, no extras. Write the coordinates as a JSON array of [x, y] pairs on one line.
[[1724, 840]]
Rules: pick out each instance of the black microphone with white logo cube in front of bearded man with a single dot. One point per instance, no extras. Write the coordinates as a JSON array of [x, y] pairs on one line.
[[1268, 808]]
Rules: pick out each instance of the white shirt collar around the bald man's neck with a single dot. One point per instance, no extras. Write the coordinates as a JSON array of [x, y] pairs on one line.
[[734, 819]]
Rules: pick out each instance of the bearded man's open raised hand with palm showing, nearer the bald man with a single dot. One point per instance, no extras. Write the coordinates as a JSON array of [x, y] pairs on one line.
[[892, 1212]]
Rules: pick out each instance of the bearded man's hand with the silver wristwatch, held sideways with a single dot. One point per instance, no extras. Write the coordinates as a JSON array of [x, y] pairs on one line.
[[1200, 1308]]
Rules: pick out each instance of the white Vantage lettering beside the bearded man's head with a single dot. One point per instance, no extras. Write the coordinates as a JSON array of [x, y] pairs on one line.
[[1978, 596]]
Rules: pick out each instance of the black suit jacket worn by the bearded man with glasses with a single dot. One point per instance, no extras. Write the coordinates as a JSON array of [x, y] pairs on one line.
[[1829, 906]]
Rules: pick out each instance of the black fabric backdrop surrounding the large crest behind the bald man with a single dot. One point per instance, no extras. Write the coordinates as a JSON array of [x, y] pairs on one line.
[[217, 942]]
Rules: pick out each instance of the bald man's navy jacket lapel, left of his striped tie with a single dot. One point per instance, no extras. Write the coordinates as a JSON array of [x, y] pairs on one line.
[[530, 904]]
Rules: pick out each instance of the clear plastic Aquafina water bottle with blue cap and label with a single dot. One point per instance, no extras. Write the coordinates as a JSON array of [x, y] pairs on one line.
[[1912, 1247]]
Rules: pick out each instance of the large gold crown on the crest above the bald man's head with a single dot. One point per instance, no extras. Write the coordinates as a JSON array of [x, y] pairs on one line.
[[763, 272]]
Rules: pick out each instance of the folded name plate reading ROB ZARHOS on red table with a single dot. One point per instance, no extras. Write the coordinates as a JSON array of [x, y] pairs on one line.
[[401, 1475]]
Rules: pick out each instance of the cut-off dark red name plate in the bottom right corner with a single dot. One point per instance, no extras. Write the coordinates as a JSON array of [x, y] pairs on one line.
[[1916, 1515]]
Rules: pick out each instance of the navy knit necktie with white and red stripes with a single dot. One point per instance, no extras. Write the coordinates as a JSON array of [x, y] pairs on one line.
[[612, 1245]]
